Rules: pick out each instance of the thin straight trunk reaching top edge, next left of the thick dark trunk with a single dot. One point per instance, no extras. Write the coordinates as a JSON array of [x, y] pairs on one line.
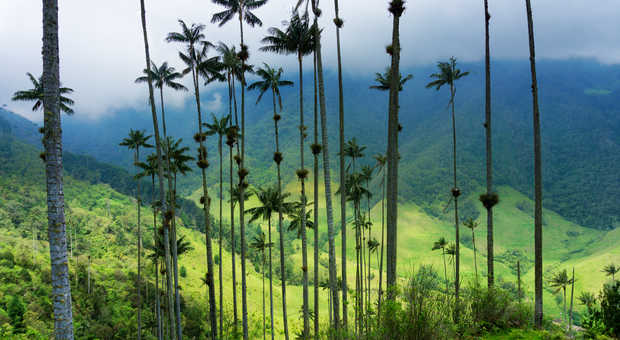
[[343, 200]]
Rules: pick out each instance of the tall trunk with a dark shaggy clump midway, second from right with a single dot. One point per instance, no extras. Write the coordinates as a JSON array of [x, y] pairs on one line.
[[487, 125]]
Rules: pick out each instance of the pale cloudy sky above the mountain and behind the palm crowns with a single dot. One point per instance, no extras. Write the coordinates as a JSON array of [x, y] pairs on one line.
[[102, 51]]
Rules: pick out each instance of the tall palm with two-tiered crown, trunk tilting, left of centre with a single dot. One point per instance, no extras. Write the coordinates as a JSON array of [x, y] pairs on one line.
[[198, 64]]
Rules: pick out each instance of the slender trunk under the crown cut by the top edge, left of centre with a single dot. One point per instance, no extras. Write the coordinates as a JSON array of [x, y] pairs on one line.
[[244, 296]]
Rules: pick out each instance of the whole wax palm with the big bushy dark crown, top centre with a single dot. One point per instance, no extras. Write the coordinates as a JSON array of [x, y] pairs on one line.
[[297, 38]]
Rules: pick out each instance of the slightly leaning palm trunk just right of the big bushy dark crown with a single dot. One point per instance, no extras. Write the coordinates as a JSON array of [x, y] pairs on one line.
[[333, 279]]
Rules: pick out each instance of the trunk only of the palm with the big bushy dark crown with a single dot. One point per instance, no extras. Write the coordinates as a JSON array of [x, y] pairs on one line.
[[304, 243]]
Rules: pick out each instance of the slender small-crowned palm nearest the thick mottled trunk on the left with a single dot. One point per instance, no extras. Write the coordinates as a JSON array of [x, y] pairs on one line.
[[136, 140]]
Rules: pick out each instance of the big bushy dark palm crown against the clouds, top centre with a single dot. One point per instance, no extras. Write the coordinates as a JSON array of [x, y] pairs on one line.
[[297, 37]]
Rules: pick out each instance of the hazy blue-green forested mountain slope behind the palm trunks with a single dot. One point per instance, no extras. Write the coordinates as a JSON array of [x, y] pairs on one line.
[[580, 131]]
